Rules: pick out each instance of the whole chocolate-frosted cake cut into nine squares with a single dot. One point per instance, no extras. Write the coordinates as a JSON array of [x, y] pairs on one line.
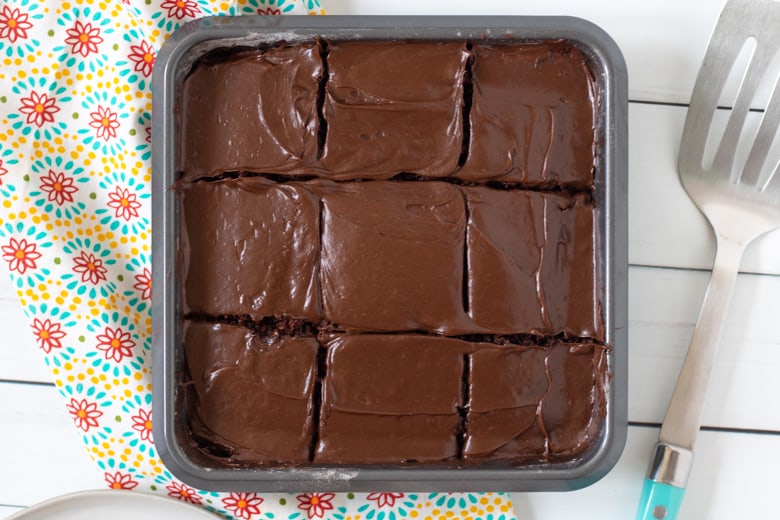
[[388, 254]]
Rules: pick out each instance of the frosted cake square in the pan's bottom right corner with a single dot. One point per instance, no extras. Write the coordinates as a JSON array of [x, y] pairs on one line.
[[534, 403]]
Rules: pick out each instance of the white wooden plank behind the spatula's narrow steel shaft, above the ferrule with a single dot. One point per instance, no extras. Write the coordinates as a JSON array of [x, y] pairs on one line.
[[663, 307]]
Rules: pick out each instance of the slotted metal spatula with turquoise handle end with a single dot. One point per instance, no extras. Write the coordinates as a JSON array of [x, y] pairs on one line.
[[741, 203]]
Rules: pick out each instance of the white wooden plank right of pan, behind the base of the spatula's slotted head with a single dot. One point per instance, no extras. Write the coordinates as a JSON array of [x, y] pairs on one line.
[[666, 228]]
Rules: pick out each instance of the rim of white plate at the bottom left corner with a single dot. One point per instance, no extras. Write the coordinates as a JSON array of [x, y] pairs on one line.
[[113, 504]]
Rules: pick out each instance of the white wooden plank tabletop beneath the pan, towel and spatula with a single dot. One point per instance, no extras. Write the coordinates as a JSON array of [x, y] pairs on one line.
[[738, 455]]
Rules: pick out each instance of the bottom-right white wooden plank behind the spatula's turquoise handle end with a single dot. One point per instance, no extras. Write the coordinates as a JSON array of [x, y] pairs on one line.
[[734, 476]]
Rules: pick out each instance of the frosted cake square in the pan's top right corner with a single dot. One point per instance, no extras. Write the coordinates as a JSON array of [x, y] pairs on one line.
[[532, 116]]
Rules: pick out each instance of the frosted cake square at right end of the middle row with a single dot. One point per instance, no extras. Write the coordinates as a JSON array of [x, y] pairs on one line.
[[531, 263]]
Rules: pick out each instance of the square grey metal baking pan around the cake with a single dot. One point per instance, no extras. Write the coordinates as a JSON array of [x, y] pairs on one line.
[[174, 62]]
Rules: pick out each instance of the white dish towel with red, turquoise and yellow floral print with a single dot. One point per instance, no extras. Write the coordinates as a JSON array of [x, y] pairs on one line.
[[75, 103]]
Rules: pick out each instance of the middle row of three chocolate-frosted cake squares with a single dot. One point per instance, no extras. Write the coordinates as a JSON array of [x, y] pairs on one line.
[[256, 248]]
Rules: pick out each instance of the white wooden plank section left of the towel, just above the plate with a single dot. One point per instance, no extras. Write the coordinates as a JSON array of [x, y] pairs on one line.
[[42, 454]]
